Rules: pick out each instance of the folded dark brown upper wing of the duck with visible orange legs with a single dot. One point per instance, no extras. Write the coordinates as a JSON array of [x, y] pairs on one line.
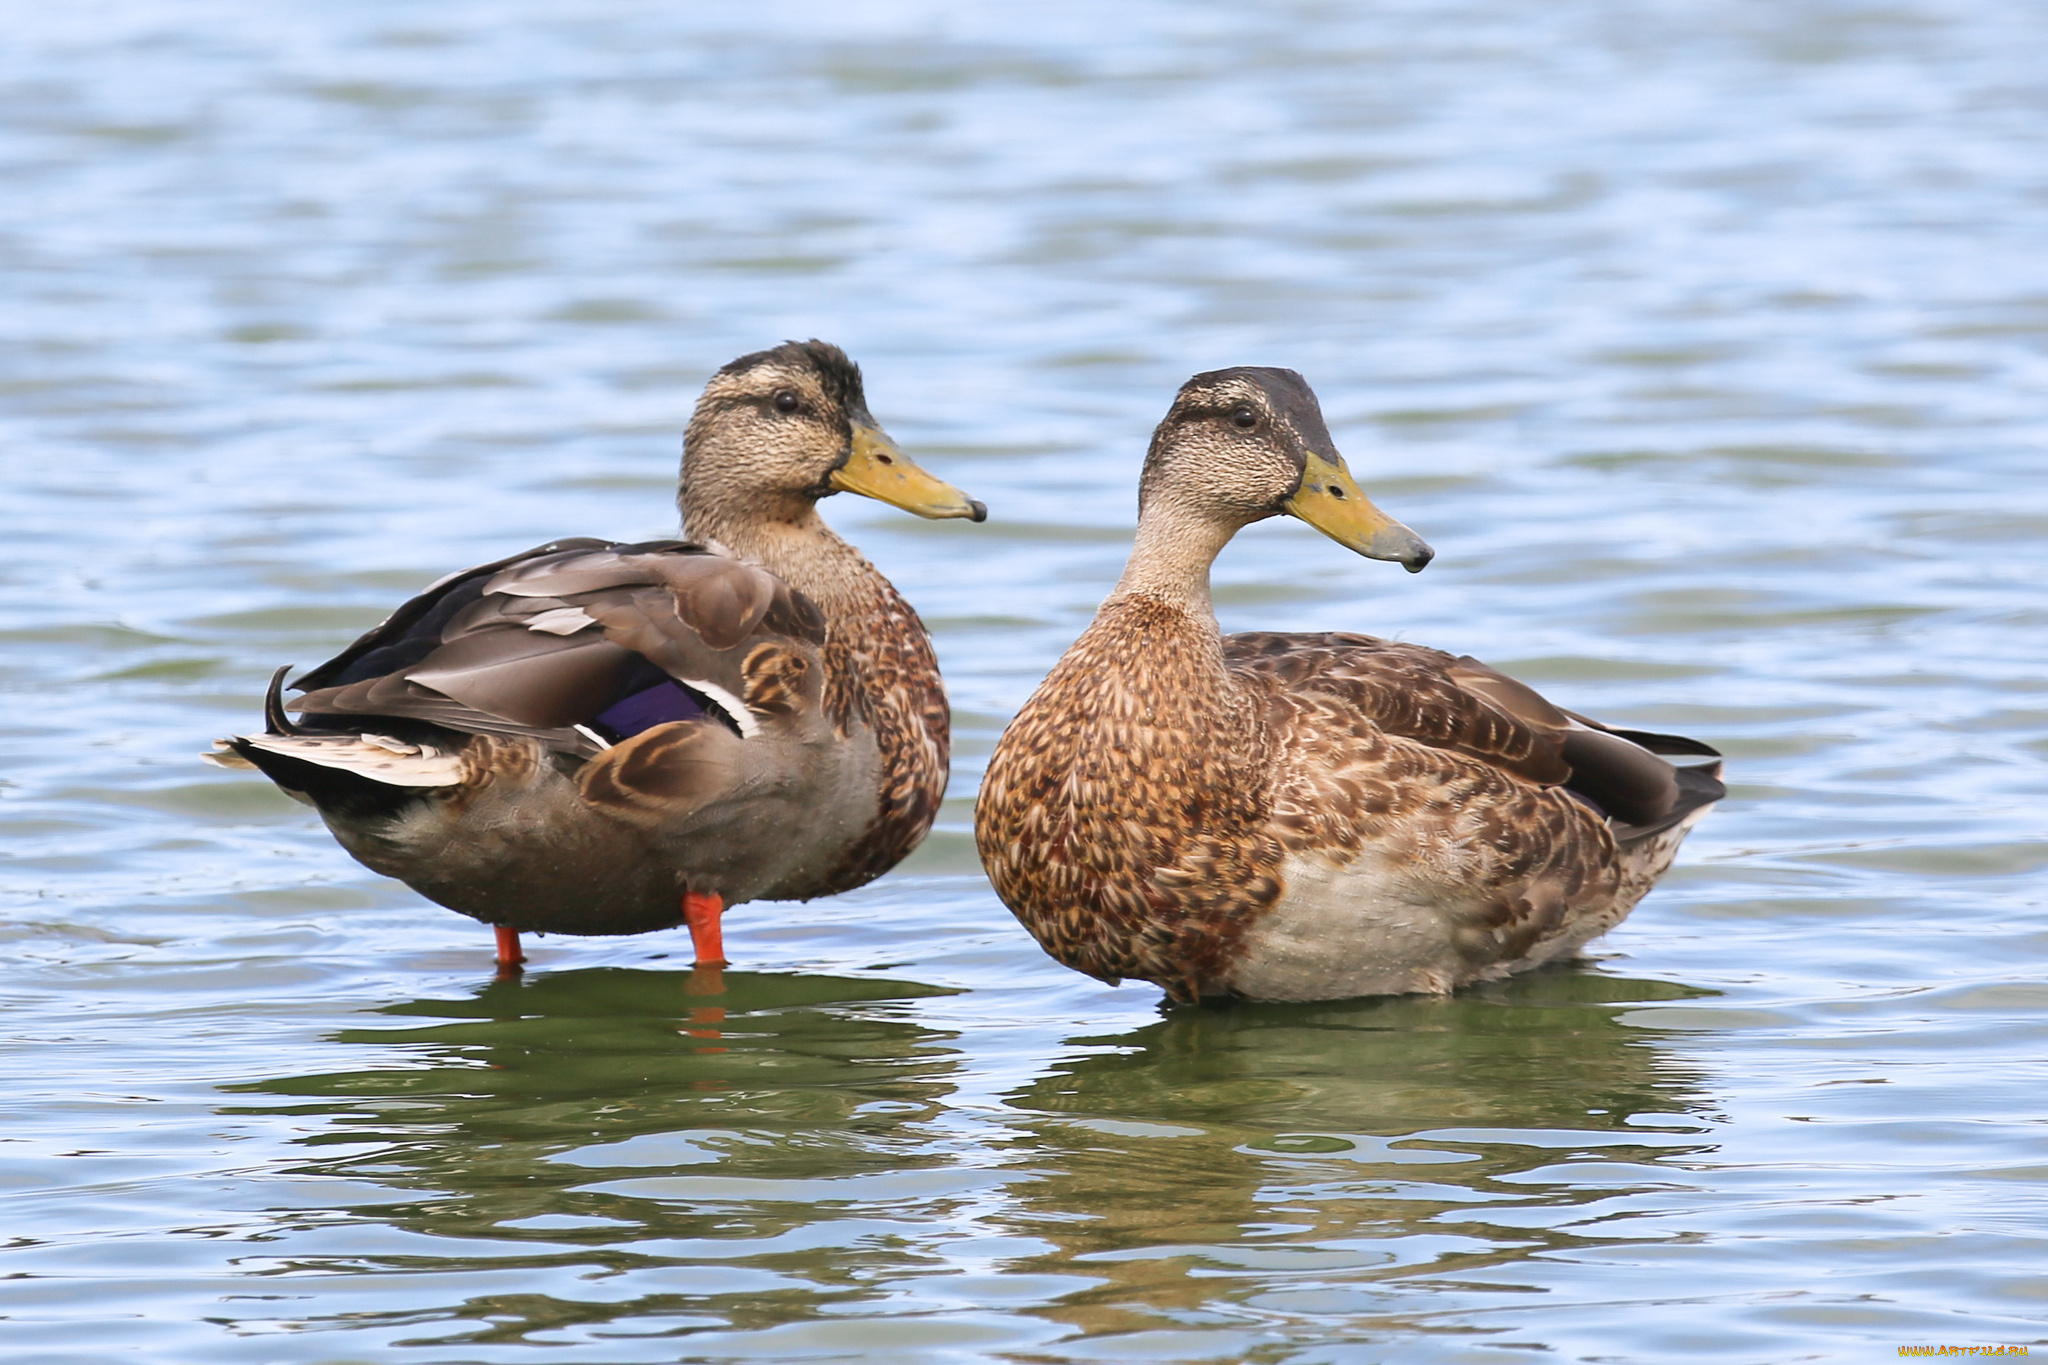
[[550, 640]]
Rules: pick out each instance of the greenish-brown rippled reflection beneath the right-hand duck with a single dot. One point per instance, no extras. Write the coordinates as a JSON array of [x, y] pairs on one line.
[[1279, 1163]]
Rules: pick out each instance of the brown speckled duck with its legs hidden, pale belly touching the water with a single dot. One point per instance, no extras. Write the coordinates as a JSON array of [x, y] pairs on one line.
[[1304, 818]]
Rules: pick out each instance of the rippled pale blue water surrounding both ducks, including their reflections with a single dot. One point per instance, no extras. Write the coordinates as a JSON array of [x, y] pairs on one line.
[[1707, 345]]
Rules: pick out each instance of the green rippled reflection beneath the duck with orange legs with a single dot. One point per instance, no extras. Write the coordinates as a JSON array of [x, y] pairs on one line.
[[505, 1114]]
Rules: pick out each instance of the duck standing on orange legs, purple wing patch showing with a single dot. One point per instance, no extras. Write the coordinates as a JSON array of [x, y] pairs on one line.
[[601, 738]]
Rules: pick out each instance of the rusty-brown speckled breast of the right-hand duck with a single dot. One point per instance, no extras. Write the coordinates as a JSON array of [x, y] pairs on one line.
[[1127, 807]]
